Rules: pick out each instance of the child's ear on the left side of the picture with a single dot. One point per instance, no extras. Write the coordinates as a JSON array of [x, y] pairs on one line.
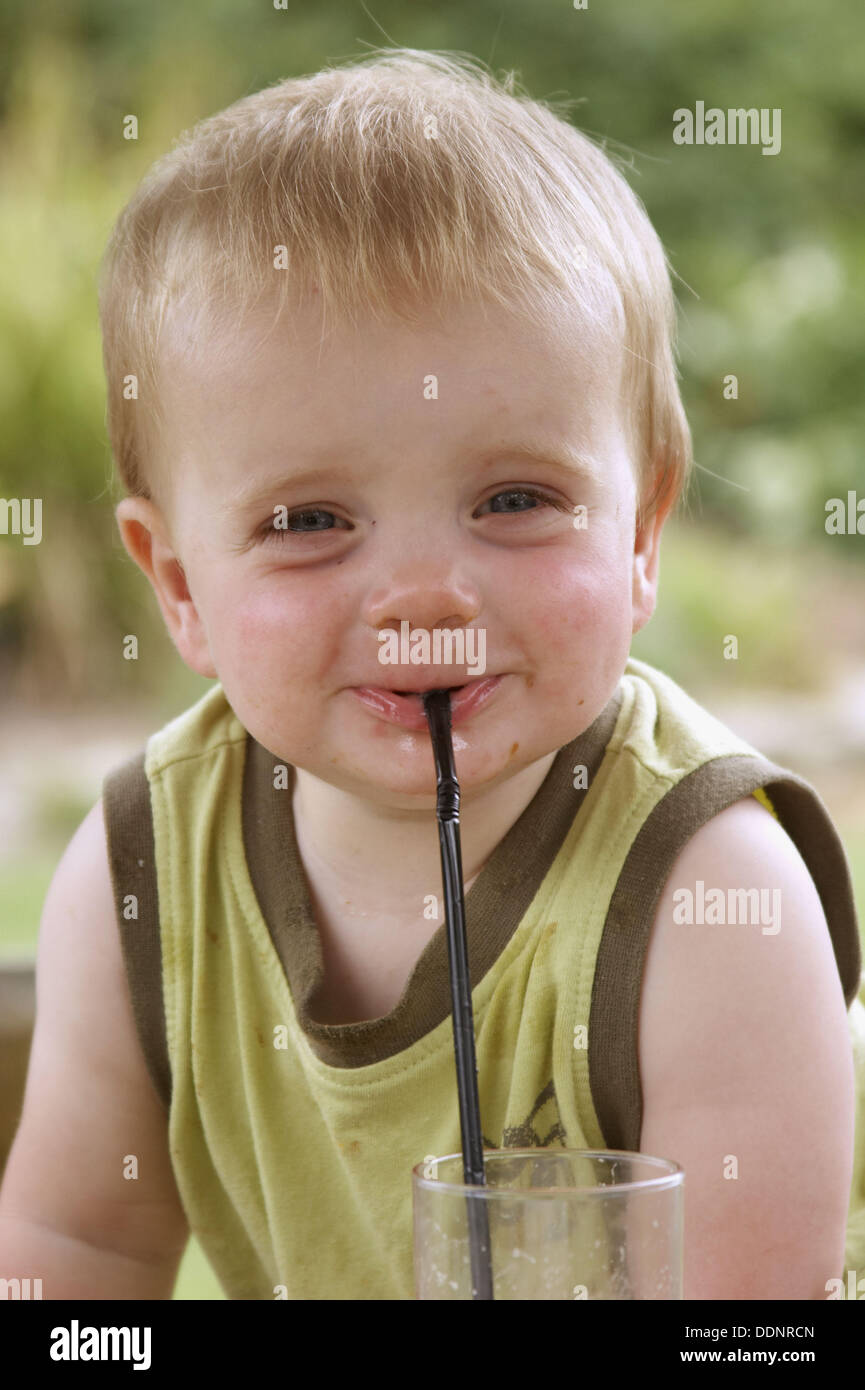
[[148, 541]]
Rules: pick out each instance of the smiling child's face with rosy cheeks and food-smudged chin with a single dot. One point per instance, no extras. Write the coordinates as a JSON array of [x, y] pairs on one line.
[[400, 443]]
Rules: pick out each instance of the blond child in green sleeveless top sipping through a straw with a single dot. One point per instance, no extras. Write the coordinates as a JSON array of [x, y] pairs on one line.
[[390, 351]]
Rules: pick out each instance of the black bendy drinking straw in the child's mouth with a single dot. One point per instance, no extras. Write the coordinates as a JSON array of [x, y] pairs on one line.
[[437, 708]]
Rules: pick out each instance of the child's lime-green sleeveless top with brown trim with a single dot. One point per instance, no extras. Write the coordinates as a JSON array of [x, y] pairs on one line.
[[293, 1140]]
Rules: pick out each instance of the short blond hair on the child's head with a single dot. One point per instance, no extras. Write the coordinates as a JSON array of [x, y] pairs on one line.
[[403, 177]]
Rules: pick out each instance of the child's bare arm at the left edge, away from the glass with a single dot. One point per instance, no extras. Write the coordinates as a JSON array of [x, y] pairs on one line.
[[67, 1213]]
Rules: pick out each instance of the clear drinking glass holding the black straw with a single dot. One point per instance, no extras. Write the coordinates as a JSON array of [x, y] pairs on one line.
[[564, 1224]]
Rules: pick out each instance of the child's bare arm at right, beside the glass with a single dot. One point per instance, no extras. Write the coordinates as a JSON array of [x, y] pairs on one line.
[[746, 1065]]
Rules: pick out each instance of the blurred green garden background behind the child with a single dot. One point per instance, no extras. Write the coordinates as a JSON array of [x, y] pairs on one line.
[[770, 252]]
